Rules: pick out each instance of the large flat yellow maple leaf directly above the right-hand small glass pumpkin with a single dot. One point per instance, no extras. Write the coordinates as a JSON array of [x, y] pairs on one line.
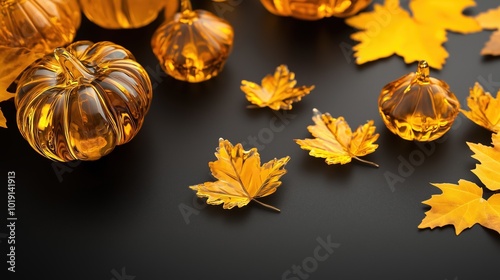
[[400, 35]]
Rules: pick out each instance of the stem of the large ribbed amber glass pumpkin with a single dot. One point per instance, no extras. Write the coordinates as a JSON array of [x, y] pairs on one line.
[[72, 67]]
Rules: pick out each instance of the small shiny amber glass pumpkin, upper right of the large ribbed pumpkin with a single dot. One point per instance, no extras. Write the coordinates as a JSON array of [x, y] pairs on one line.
[[194, 45]]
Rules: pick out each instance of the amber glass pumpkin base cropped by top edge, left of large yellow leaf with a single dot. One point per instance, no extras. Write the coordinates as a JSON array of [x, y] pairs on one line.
[[315, 9]]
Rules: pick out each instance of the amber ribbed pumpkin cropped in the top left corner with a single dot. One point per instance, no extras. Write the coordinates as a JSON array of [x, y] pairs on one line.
[[39, 25]]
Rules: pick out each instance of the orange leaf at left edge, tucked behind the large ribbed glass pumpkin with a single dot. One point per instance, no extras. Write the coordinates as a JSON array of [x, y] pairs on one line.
[[13, 62]]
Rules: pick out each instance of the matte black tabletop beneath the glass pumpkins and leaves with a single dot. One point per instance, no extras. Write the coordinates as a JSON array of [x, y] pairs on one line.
[[120, 216]]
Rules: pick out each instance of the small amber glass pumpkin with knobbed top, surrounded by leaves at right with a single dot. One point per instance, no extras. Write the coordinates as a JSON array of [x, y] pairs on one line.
[[417, 106]]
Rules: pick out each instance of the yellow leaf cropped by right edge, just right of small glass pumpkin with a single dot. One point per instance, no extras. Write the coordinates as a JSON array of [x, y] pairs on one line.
[[484, 108]]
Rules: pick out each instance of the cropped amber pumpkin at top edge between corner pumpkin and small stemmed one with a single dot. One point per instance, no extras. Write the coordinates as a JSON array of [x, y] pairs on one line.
[[124, 14]]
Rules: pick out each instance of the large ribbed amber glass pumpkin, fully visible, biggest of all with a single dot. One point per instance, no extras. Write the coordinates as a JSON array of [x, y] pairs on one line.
[[79, 102]]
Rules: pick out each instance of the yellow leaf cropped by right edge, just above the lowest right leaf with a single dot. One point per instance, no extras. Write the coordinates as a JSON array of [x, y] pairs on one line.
[[488, 171]]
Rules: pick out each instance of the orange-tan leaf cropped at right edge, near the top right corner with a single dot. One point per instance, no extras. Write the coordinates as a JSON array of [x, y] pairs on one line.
[[491, 20]]
